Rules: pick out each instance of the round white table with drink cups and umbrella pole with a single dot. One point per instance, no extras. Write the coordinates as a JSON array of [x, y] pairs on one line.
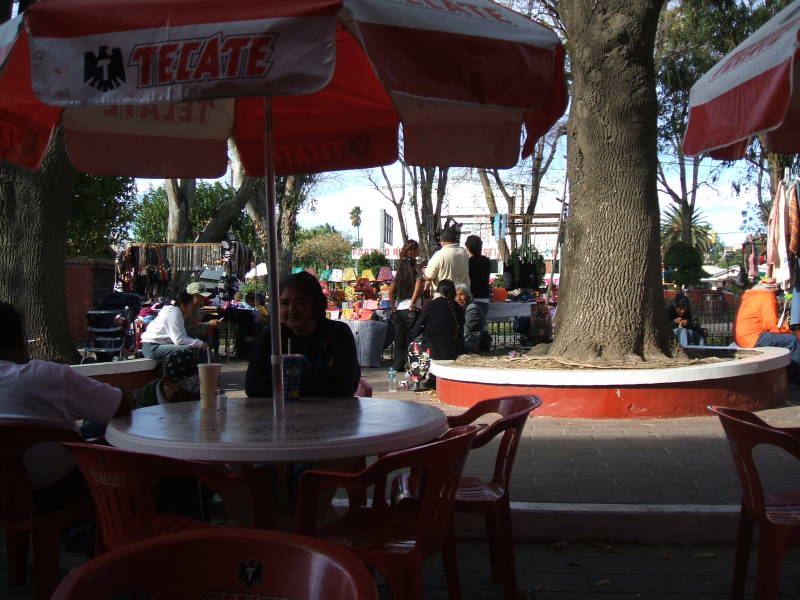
[[312, 430]]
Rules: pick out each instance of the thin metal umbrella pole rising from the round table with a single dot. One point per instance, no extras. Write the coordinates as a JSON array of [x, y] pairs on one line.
[[272, 263]]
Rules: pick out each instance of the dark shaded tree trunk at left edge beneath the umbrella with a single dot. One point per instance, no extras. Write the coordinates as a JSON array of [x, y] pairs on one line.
[[34, 206]]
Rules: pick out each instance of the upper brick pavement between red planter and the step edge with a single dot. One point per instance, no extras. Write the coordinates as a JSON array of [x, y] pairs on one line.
[[680, 461]]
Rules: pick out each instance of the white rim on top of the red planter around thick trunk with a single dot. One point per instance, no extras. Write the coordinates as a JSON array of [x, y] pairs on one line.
[[764, 359]]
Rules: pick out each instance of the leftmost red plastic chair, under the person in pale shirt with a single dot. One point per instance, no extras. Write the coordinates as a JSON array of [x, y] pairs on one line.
[[17, 515]]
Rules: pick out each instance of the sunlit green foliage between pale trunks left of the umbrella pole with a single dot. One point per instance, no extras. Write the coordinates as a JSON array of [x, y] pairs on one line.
[[152, 213]]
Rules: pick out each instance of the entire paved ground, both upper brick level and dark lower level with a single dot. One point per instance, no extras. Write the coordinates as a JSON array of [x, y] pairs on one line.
[[601, 480]]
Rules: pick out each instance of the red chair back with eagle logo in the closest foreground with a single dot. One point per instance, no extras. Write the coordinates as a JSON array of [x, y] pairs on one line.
[[223, 563]]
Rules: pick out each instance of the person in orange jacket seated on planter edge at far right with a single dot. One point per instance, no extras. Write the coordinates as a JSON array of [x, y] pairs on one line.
[[757, 321]]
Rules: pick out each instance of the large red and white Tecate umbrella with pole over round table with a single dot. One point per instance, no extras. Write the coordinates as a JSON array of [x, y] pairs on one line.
[[154, 88]]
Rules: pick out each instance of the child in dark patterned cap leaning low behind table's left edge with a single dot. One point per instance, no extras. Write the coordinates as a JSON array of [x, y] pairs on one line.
[[179, 382]]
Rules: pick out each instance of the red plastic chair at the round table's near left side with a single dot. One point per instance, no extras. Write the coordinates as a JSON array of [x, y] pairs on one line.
[[122, 485]]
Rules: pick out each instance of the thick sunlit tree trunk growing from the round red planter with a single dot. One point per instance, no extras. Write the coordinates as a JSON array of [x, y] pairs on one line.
[[611, 301]]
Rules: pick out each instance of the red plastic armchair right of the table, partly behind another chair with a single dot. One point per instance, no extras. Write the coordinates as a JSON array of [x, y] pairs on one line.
[[489, 498]]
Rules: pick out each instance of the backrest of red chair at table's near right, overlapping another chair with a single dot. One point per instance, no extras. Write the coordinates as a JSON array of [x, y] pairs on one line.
[[438, 466]]
